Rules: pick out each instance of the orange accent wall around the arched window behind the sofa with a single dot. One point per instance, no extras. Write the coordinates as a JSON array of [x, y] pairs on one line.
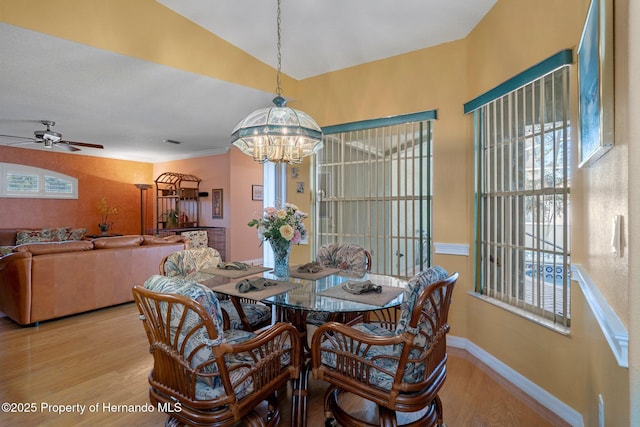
[[97, 177]]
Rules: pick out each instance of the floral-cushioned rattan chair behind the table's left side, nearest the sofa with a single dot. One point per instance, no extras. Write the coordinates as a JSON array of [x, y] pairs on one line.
[[189, 263]]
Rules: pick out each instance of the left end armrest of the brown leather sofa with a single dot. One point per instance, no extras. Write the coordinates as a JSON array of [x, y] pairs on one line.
[[15, 286]]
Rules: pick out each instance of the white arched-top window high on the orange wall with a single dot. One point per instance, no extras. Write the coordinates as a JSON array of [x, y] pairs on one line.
[[26, 181]]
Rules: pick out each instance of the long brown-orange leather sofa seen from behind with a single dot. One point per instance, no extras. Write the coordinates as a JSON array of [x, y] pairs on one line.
[[43, 281]]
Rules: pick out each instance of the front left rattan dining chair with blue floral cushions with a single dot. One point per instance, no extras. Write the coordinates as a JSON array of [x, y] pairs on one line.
[[204, 375]]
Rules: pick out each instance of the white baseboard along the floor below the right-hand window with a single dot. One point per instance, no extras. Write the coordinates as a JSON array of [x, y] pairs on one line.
[[546, 399]]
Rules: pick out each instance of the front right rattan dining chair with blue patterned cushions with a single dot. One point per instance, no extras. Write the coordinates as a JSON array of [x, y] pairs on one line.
[[399, 368]]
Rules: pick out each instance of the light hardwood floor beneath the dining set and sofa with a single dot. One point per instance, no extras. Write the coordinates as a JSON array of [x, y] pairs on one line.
[[99, 362]]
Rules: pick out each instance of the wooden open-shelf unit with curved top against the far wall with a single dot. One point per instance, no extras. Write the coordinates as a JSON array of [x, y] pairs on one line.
[[177, 201]]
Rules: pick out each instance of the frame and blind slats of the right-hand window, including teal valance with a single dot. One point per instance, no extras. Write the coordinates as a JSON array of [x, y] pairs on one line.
[[501, 291]]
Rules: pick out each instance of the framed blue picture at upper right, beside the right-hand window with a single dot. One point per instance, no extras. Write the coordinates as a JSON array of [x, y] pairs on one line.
[[595, 83]]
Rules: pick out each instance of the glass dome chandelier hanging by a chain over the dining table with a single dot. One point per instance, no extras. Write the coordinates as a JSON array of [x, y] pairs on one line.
[[278, 134]]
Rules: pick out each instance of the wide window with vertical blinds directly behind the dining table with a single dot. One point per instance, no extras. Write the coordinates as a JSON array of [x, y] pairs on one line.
[[373, 188]]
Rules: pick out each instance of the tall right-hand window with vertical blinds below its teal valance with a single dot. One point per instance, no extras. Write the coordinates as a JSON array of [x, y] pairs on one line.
[[522, 161]]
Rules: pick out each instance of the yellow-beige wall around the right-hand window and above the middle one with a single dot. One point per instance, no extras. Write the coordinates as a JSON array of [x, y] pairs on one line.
[[514, 36]]
